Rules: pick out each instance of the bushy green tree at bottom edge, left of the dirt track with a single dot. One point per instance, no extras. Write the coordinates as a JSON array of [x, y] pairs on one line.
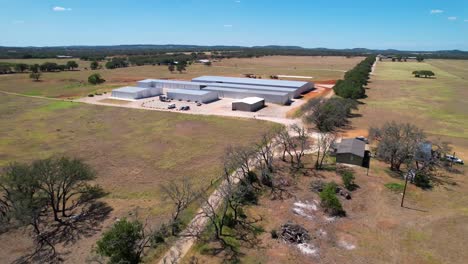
[[124, 242]]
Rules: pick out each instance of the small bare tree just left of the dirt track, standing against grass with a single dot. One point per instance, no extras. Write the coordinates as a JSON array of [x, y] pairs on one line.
[[181, 193]]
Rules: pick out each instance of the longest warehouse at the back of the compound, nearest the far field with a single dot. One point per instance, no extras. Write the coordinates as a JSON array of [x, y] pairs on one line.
[[301, 87]]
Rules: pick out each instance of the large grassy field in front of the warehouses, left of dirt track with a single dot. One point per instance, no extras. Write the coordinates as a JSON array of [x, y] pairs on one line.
[[133, 151]]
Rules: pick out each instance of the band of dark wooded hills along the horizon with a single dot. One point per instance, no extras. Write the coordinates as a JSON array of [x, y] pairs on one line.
[[150, 49]]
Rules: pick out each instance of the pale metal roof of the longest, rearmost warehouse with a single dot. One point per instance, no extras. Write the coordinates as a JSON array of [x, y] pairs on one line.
[[292, 84]]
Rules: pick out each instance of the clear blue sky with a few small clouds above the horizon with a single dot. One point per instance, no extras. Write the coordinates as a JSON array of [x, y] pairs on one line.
[[396, 24]]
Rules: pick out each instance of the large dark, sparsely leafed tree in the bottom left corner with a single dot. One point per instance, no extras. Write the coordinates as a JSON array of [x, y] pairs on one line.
[[54, 196]]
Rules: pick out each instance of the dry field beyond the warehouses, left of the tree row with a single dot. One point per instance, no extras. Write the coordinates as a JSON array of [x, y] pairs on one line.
[[72, 84]]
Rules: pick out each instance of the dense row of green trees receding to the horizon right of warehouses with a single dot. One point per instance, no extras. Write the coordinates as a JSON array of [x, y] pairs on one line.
[[352, 86]]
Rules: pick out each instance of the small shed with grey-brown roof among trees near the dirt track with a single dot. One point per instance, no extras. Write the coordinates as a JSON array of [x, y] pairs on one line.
[[351, 151]]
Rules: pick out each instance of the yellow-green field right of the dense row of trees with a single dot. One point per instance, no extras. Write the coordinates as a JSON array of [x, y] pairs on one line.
[[437, 105]]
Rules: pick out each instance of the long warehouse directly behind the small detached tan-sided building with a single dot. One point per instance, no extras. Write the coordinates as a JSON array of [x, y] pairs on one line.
[[272, 97]]
